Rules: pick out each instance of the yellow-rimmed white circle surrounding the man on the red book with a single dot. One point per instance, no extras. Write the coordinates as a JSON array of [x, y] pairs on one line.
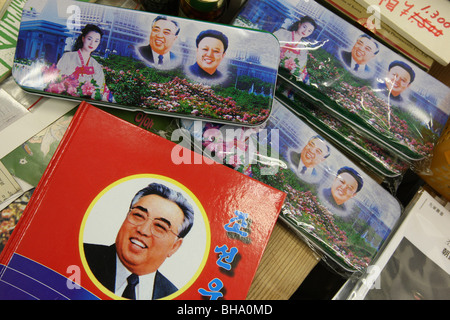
[[98, 229]]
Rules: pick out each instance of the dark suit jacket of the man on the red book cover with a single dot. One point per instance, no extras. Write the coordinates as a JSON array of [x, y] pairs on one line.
[[102, 262]]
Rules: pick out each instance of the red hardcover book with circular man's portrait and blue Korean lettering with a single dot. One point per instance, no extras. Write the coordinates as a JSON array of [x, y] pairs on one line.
[[113, 202]]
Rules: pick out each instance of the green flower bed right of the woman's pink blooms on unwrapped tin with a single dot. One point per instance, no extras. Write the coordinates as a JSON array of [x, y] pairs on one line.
[[169, 91]]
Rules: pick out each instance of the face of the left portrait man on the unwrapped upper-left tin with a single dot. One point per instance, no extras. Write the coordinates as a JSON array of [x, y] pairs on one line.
[[162, 36]]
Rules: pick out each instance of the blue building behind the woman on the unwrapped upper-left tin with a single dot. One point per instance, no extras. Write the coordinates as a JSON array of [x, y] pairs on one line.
[[52, 34]]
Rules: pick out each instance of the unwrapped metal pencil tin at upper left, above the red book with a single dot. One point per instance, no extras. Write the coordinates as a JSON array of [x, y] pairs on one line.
[[141, 61]]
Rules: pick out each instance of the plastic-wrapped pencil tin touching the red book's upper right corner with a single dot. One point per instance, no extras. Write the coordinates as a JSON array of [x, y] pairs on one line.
[[331, 203]]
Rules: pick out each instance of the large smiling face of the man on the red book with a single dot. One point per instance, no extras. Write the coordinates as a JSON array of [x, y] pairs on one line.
[[138, 249]]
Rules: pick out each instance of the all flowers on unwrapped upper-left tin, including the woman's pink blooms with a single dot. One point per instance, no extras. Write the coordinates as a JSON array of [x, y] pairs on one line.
[[135, 85]]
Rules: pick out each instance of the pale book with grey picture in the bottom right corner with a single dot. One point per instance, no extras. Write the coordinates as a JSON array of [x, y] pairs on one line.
[[415, 264]]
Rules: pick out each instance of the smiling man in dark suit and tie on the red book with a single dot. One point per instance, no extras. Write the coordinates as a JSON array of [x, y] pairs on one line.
[[154, 228]]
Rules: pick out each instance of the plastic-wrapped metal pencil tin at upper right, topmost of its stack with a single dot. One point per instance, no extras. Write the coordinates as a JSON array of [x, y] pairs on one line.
[[343, 70]]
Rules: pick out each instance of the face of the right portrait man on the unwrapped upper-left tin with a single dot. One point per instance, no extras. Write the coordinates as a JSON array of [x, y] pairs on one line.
[[210, 53]]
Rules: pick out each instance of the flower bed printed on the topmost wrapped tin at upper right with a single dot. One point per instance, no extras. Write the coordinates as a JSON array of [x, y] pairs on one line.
[[361, 100]]
